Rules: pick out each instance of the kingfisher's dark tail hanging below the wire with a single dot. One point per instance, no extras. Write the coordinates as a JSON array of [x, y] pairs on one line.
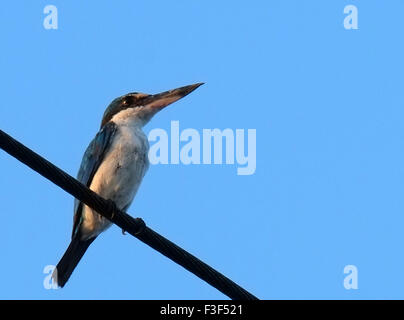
[[70, 259]]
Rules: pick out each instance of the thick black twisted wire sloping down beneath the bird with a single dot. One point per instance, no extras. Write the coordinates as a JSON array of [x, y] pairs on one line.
[[134, 226]]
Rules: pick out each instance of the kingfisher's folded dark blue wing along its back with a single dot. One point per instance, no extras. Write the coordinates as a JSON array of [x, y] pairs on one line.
[[92, 159]]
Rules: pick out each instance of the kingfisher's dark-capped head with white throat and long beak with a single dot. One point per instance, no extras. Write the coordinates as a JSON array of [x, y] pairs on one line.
[[141, 107]]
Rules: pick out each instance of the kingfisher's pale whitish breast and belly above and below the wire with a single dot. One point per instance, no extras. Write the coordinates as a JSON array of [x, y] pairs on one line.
[[119, 175]]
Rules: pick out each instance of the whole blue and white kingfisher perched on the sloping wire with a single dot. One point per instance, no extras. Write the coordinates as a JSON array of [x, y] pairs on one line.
[[113, 166]]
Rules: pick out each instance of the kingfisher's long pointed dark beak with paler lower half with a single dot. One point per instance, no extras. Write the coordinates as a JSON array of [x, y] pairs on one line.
[[161, 100]]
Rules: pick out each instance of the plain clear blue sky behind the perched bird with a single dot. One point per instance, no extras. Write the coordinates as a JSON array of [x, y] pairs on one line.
[[327, 106]]
